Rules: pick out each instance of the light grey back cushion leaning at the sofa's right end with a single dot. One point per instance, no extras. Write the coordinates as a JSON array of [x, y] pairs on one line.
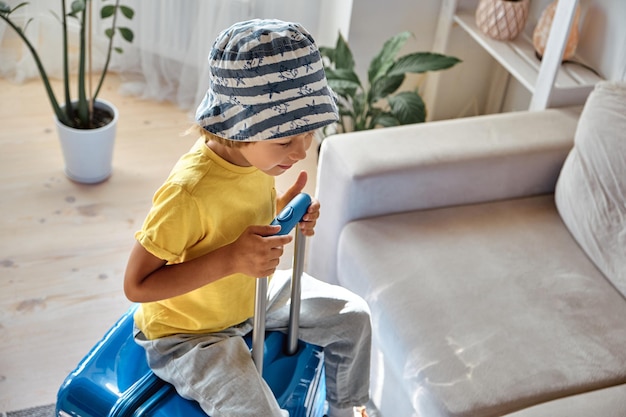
[[591, 190]]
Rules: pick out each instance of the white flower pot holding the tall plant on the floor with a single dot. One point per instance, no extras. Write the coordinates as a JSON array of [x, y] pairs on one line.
[[88, 153]]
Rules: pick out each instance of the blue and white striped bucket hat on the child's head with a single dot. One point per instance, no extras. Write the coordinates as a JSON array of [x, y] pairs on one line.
[[266, 81]]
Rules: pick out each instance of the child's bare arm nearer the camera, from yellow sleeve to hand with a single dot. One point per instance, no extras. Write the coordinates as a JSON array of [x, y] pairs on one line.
[[256, 253]]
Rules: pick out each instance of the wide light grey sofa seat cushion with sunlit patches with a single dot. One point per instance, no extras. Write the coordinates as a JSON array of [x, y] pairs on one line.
[[485, 309]]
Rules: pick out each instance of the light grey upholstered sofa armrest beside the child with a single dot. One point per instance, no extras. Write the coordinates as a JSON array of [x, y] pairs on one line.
[[435, 164]]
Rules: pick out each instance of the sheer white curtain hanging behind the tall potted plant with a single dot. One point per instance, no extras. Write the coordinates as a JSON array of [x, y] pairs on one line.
[[168, 57]]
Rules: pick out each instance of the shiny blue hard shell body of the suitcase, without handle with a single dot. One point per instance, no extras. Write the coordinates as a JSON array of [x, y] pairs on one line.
[[114, 380]]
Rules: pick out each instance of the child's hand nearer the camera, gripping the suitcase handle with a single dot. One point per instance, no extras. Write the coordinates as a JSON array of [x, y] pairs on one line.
[[257, 251]]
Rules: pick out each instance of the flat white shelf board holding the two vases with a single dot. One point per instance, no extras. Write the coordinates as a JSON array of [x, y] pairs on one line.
[[572, 84]]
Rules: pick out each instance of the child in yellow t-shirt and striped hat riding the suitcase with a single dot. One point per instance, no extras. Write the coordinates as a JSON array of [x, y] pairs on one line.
[[207, 235]]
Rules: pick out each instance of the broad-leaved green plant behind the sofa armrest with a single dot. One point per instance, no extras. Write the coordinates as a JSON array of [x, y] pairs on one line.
[[377, 103]]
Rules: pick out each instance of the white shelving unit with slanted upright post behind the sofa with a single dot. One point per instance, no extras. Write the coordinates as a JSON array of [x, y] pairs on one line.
[[550, 82]]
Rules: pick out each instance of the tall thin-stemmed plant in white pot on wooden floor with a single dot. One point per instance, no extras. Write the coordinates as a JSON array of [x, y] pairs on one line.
[[86, 125]]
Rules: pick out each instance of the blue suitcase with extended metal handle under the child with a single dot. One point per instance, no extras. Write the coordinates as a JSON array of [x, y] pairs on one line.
[[114, 379]]
